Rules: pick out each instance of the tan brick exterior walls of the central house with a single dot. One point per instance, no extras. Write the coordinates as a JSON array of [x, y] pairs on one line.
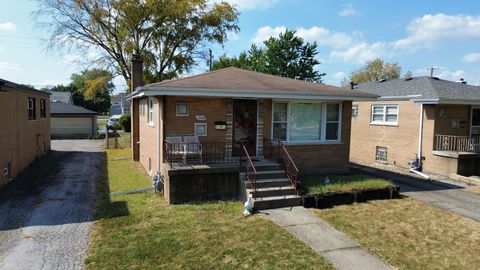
[[311, 159]]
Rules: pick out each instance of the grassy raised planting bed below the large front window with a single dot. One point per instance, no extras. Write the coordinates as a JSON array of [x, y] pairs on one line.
[[339, 183]]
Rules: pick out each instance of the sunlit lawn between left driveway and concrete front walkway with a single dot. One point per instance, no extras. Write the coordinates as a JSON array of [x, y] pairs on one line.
[[139, 231]]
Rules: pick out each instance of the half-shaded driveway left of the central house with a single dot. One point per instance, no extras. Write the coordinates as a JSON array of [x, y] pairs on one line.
[[46, 214]]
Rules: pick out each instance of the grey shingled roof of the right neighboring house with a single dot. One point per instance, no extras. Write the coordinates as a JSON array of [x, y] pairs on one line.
[[428, 90]]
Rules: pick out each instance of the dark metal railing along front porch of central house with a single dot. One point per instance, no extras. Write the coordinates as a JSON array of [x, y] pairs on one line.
[[198, 153]]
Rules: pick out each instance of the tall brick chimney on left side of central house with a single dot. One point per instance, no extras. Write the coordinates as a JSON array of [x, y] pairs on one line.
[[136, 80]]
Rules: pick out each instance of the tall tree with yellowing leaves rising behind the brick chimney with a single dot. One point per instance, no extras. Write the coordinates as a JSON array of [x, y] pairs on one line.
[[171, 35]]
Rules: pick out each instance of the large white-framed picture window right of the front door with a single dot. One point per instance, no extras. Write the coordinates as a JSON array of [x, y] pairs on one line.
[[306, 121]]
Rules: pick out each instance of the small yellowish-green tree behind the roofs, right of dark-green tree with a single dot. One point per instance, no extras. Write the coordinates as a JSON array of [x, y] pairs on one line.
[[376, 70]]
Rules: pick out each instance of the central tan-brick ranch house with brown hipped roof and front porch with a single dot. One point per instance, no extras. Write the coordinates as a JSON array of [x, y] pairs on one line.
[[233, 113]]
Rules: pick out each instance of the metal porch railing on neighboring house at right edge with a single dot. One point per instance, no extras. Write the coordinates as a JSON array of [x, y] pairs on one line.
[[457, 143]]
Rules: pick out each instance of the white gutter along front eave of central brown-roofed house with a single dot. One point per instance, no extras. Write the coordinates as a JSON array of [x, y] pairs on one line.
[[277, 94]]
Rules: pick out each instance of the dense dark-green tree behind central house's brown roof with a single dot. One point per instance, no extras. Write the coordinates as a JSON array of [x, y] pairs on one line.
[[286, 55]]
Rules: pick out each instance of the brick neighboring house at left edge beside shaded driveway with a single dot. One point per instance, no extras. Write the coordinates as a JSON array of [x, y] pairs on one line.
[[24, 127]]
